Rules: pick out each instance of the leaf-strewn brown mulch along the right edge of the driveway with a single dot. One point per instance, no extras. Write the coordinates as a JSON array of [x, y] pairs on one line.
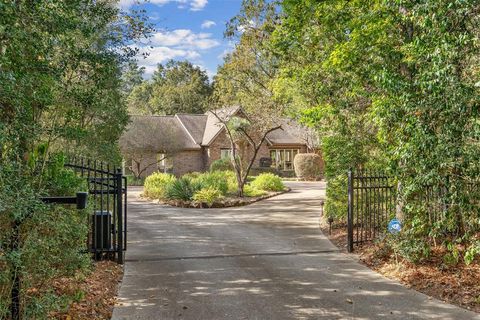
[[458, 285]]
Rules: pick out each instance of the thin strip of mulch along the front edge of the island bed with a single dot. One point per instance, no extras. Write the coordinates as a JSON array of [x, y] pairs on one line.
[[226, 202]]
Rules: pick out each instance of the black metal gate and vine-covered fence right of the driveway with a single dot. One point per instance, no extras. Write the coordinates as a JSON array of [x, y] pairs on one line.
[[372, 203]]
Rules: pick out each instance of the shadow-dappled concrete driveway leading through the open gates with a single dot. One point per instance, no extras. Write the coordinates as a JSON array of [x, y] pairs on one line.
[[268, 260]]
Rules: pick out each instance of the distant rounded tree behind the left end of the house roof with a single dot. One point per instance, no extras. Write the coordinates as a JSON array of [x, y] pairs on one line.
[[176, 87]]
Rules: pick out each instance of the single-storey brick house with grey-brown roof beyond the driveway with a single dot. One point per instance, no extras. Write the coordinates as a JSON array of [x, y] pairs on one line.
[[197, 140]]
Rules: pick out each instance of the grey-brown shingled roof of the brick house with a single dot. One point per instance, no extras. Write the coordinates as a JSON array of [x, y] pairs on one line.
[[192, 131]]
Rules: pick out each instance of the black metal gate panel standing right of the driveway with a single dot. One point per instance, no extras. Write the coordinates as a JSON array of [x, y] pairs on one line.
[[371, 205]]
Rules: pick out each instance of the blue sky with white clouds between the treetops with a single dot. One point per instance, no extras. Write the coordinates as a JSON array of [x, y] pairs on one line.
[[186, 30]]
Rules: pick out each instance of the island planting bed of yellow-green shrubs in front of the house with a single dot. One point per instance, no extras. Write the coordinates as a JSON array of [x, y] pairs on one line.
[[215, 189]]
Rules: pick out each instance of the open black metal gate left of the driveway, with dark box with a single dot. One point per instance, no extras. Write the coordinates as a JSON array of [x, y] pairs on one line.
[[107, 188]]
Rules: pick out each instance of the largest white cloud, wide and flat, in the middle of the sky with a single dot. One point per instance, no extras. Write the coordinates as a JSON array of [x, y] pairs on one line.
[[185, 39]]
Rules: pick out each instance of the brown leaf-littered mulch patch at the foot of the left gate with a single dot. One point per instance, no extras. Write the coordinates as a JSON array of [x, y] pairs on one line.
[[94, 295]]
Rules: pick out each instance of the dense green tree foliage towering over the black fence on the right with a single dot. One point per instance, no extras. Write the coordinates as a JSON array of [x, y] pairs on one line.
[[391, 84]]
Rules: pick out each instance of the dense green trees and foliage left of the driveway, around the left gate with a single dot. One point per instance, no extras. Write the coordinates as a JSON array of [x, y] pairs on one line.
[[60, 88]]
